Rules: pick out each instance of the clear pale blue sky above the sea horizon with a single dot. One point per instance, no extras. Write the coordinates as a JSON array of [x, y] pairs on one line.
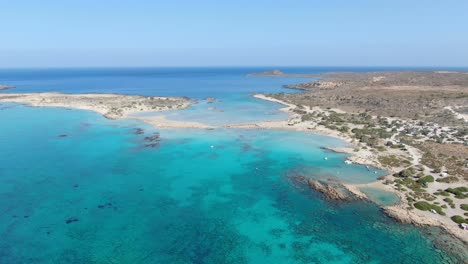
[[57, 33]]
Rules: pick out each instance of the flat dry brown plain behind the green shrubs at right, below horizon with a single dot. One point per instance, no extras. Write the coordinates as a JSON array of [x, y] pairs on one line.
[[421, 95]]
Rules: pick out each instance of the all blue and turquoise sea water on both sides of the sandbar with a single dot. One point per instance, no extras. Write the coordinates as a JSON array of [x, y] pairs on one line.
[[78, 188]]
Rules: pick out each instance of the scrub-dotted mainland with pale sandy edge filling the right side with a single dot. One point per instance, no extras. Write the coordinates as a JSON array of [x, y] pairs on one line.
[[413, 124]]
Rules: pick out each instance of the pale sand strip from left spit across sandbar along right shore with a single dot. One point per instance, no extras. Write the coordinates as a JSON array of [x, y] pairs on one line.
[[400, 212]]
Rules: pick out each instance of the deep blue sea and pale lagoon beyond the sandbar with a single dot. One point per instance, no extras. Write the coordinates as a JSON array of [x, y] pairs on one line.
[[230, 86]]
